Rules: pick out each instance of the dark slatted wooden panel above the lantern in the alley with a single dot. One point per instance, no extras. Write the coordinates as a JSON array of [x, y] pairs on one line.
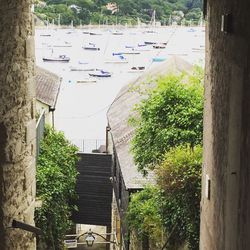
[[94, 189]]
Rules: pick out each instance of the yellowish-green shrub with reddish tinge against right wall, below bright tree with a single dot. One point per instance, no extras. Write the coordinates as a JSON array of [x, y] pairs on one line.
[[179, 175]]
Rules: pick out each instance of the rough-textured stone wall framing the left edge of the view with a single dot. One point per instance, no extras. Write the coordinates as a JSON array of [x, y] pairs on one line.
[[17, 123]]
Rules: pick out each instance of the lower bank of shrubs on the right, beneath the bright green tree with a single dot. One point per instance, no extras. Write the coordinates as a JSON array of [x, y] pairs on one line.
[[171, 206]]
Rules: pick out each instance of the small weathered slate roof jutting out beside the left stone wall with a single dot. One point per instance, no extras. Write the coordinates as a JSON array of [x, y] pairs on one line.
[[47, 86]]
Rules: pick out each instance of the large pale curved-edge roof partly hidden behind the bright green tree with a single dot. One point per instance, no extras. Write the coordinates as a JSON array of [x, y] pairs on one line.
[[119, 113]]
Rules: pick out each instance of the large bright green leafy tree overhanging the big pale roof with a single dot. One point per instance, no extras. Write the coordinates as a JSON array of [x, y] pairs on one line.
[[171, 115]]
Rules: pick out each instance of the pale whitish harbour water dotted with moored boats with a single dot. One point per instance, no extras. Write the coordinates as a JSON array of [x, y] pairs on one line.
[[81, 107]]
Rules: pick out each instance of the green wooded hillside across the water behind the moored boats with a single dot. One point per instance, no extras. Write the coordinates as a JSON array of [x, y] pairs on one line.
[[128, 11]]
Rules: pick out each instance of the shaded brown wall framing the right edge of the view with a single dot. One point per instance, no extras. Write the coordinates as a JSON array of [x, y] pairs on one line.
[[225, 212]]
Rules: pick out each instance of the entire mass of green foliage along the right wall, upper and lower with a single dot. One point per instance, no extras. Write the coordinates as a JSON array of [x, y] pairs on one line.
[[168, 137]]
